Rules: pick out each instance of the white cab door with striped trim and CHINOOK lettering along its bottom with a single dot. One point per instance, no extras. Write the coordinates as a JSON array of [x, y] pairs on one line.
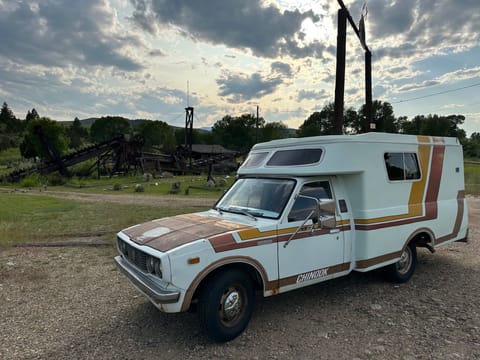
[[310, 248]]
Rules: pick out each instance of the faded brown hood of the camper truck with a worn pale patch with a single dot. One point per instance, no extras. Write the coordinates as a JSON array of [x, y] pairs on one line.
[[168, 233]]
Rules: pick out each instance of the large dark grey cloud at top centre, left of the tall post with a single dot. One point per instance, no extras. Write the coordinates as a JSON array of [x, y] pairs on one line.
[[266, 30]]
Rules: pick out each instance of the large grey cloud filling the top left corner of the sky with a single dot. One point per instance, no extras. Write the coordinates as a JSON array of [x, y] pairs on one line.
[[59, 33]]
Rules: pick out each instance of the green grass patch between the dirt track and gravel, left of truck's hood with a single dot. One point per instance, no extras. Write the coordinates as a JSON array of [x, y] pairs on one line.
[[28, 218]]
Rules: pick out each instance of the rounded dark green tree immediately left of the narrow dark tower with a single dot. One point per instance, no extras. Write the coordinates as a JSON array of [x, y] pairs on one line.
[[157, 133]]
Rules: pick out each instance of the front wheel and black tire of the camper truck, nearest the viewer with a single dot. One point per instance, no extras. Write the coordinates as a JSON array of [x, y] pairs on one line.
[[226, 305]]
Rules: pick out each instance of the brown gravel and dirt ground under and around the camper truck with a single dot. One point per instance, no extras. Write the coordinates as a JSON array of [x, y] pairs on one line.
[[72, 303]]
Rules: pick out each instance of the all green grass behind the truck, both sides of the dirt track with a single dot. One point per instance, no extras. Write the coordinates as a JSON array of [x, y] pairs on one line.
[[26, 218]]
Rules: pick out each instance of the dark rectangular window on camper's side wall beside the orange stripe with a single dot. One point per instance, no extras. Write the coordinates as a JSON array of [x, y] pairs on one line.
[[402, 166]]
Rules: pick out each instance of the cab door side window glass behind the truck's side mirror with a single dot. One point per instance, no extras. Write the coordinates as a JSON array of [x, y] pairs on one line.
[[304, 205]]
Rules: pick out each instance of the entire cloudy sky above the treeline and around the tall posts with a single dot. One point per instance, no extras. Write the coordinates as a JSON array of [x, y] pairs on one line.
[[149, 59]]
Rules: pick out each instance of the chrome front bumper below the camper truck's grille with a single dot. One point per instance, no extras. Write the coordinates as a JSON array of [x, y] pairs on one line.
[[157, 294]]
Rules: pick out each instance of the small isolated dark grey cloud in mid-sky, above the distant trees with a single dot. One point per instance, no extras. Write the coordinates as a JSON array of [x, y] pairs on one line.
[[240, 88]]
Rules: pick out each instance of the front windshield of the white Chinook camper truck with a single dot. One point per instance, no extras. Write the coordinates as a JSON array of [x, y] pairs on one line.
[[257, 197]]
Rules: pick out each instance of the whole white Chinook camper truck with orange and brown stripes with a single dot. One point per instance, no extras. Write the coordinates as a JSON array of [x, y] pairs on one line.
[[302, 211]]
